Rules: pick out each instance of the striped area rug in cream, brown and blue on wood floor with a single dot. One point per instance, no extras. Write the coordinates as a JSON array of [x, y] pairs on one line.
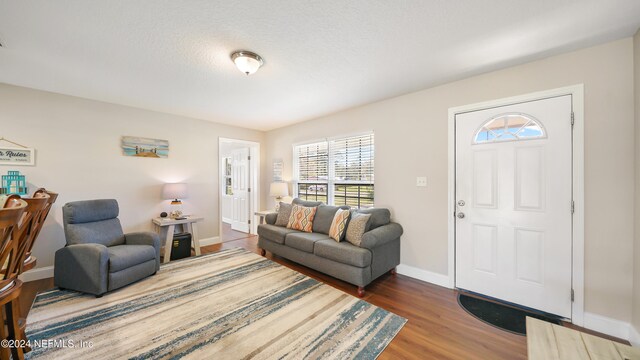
[[233, 304]]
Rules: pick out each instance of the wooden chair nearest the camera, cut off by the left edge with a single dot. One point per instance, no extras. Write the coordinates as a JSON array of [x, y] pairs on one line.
[[10, 286]]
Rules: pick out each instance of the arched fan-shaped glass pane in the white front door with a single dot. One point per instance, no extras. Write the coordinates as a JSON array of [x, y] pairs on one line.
[[509, 127]]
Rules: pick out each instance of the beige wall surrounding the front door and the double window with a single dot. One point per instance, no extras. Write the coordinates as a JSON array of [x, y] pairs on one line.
[[411, 140]]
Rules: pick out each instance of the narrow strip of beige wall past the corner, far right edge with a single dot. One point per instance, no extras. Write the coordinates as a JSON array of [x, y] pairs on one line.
[[636, 257]]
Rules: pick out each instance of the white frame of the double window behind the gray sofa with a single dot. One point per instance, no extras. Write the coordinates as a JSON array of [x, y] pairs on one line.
[[330, 182]]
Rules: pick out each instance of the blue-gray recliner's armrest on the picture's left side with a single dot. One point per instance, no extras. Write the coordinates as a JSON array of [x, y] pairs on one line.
[[82, 267]]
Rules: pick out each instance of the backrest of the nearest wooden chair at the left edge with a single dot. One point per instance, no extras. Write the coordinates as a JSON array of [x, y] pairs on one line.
[[10, 217]]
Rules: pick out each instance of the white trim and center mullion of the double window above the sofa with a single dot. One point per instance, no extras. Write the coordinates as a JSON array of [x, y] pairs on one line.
[[330, 169]]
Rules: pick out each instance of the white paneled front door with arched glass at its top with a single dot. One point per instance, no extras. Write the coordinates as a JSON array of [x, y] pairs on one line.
[[514, 203]]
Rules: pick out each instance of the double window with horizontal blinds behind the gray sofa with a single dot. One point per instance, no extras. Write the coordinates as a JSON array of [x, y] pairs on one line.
[[338, 171]]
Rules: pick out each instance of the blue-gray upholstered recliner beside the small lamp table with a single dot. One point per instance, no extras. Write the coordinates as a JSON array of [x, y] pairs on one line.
[[98, 256]]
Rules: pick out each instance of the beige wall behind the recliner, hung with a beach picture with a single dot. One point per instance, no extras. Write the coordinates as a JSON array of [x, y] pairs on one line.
[[78, 155]]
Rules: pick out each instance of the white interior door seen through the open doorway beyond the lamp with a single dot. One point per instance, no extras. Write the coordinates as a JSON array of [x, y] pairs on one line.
[[240, 185]]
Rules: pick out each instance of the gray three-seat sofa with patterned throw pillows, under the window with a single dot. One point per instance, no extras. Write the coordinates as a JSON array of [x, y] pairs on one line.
[[378, 254]]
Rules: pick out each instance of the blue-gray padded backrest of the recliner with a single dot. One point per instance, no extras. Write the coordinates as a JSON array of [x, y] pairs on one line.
[[92, 221]]
